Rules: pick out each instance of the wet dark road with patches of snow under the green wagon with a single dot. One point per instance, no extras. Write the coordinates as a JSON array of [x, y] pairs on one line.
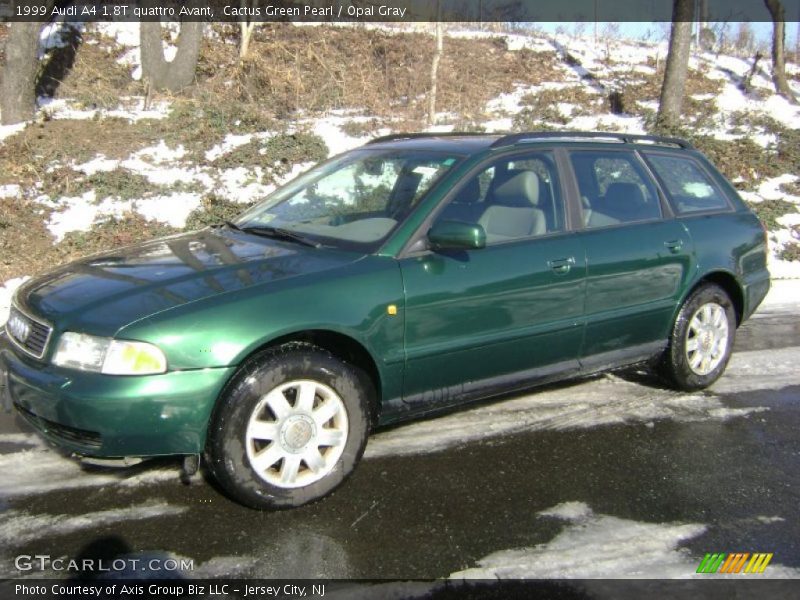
[[608, 477]]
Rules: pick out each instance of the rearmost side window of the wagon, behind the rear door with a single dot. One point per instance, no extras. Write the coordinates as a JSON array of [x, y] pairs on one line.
[[689, 188]]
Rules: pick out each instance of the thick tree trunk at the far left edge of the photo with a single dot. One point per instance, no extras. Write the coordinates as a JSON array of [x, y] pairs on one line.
[[18, 88]]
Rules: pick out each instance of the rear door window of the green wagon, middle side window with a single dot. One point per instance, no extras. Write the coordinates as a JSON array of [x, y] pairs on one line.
[[614, 189]]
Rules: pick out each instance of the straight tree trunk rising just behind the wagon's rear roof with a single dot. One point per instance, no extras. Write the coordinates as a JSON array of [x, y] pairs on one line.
[[680, 40]]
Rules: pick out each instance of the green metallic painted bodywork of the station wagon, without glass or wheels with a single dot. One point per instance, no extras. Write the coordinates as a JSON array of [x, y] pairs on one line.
[[482, 319]]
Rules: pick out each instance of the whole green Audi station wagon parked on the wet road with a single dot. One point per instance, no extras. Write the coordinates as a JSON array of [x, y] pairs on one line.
[[410, 275]]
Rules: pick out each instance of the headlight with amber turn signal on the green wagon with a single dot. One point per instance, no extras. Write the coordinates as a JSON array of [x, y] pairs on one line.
[[111, 357]]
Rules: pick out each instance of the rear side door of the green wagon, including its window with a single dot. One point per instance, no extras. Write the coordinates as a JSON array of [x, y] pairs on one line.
[[639, 257]]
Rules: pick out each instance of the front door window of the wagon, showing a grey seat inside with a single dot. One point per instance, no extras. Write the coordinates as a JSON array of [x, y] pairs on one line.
[[513, 198]]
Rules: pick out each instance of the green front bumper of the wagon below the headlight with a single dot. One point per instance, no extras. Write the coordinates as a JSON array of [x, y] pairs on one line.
[[112, 416]]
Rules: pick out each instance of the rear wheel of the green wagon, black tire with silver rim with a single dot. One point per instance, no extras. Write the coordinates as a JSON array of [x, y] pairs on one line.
[[701, 340]]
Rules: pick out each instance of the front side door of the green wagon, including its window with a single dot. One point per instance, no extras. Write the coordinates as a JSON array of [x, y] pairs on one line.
[[483, 320]]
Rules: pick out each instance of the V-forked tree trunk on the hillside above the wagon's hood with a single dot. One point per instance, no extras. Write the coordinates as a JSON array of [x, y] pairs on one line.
[[178, 73]]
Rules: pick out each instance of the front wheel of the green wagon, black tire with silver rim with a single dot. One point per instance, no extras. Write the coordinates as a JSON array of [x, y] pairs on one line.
[[289, 428]]
